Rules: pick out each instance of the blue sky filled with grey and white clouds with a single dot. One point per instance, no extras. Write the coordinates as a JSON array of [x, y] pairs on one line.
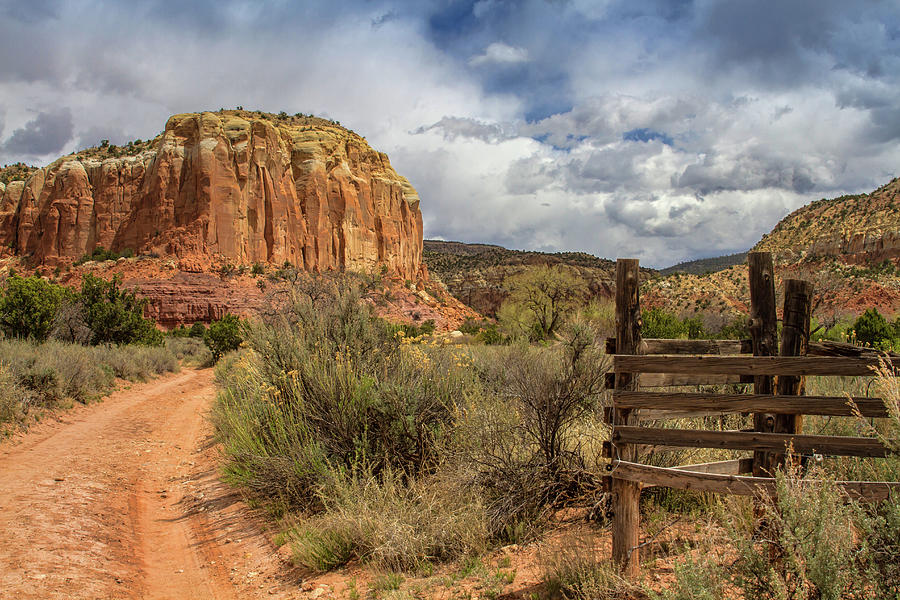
[[664, 130]]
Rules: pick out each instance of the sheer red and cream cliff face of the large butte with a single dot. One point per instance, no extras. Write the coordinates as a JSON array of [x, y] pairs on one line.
[[231, 184]]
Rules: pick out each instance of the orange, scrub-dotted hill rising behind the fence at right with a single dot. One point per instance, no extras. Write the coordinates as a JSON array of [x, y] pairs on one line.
[[848, 247]]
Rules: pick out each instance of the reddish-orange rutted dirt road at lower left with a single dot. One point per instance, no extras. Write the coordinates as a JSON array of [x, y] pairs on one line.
[[121, 499]]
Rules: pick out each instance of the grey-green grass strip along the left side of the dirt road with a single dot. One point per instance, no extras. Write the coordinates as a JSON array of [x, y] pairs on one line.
[[36, 377]]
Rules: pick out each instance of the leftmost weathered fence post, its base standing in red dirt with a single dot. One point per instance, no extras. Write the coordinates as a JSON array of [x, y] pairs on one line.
[[626, 494]]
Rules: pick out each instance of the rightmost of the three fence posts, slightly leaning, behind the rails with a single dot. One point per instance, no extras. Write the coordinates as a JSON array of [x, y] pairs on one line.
[[794, 342]]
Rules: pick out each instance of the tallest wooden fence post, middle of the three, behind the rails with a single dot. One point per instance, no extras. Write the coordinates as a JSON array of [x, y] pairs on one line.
[[764, 332]]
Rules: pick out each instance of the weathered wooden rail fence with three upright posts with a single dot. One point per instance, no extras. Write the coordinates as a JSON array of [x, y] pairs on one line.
[[777, 404]]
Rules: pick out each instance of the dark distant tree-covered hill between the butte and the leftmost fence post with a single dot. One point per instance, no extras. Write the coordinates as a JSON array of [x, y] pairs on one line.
[[475, 273]]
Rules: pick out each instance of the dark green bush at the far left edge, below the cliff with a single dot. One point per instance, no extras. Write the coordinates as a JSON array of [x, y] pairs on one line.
[[28, 307]]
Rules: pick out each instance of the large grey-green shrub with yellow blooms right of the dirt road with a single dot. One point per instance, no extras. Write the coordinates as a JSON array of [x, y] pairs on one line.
[[326, 387]]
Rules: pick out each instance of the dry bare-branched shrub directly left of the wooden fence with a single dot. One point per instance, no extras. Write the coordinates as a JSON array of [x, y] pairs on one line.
[[525, 436]]
